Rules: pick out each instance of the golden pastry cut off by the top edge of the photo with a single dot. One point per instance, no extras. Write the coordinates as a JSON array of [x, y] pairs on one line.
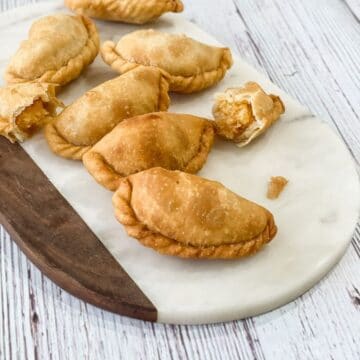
[[128, 11]]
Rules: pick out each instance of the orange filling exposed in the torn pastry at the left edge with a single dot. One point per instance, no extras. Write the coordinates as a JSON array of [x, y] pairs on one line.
[[32, 118]]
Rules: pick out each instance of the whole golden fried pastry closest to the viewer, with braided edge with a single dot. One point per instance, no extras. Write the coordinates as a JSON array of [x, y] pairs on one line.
[[181, 214]]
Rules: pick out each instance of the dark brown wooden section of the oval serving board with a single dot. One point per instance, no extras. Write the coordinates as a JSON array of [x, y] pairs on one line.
[[58, 242]]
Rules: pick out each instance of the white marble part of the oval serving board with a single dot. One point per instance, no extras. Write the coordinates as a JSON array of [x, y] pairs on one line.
[[316, 214]]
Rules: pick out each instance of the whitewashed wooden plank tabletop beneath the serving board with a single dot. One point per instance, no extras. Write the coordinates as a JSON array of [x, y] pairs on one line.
[[312, 50]]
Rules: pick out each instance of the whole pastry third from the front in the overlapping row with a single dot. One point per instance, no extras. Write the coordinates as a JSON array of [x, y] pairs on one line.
[[98, 111]]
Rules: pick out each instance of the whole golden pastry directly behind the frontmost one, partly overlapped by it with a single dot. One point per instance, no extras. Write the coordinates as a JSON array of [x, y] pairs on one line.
[[172, 141]]
